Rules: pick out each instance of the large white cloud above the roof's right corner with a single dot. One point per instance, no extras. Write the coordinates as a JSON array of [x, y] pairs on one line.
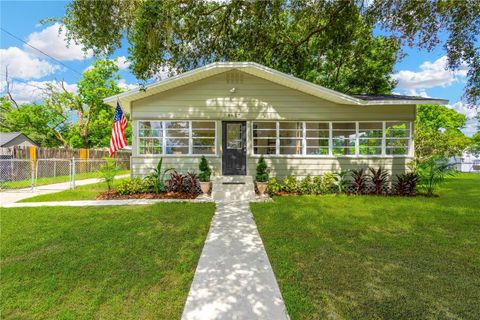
[[431, 74]]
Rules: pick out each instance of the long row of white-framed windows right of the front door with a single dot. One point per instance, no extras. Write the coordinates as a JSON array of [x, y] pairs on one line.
[[410, 151]]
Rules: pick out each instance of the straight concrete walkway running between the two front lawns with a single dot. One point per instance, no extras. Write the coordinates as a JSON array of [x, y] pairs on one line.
[[234, 279]]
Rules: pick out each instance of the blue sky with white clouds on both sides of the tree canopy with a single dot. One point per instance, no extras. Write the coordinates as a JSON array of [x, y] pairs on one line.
[[419, 73]]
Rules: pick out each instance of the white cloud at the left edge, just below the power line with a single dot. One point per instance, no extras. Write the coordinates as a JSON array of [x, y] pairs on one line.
[[22, 65]]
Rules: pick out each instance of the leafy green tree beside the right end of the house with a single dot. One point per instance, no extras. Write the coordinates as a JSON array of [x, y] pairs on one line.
[[438, 133]]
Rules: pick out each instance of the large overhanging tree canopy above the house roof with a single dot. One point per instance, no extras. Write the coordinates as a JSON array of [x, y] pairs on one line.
[[328, 42]]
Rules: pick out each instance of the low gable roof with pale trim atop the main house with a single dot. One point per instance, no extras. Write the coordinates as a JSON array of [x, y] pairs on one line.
[[269, 74]]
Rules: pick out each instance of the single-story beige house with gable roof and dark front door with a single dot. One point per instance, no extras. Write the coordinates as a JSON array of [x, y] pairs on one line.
[[234, 112]]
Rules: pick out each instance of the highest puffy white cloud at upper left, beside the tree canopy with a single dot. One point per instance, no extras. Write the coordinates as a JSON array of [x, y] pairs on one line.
[[51, 40]]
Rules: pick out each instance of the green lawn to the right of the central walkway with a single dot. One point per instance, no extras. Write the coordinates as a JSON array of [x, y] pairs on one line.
[[367, 257]]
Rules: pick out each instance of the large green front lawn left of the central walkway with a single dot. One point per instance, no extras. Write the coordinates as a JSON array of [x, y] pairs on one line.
[[134, 262]]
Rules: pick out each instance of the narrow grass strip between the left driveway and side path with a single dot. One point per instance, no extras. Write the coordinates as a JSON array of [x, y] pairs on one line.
[[85, 192]]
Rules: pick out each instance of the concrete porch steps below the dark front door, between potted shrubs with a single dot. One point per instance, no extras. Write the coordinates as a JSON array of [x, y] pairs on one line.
[[233, 188]]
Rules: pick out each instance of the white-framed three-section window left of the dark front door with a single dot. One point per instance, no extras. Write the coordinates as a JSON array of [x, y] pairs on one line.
[[164, 139]]
